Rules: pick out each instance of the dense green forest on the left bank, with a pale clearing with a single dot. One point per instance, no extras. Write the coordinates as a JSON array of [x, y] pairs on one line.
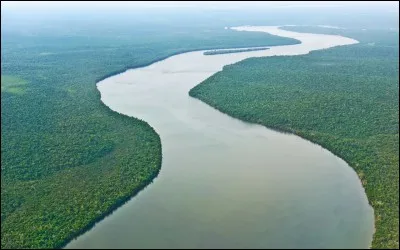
[[67, 159]]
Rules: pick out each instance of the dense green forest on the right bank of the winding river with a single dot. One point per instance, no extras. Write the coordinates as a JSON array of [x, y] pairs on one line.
[[345, 99]]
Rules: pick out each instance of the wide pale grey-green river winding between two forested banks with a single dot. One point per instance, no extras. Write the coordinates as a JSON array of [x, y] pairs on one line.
[[225, 183]]
